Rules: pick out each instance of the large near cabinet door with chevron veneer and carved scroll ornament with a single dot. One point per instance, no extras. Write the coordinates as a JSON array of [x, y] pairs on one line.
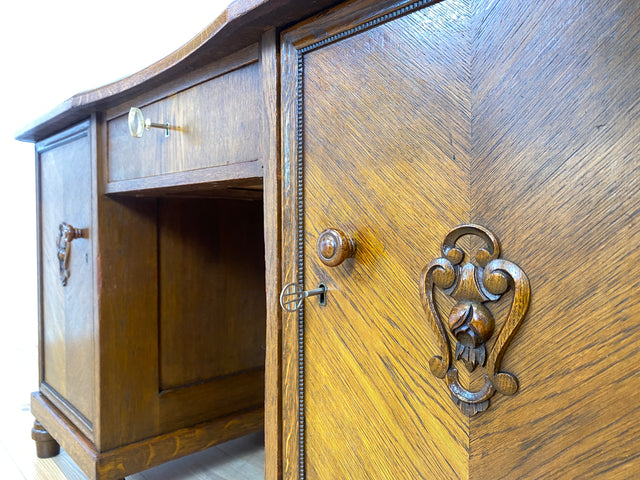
[[400, 124]]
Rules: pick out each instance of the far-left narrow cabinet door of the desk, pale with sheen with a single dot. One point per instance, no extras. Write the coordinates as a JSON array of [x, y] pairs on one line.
[[66, 311]]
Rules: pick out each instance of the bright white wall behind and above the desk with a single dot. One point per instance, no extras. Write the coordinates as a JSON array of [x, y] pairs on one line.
[[50, 51]]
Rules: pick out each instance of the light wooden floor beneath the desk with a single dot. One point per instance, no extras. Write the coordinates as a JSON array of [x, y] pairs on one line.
[[241, 459]]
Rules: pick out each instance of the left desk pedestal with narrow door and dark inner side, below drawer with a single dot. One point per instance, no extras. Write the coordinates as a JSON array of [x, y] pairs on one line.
[[152, 314]]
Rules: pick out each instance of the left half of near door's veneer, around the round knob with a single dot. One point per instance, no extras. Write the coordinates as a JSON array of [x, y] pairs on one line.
[[371, 408]]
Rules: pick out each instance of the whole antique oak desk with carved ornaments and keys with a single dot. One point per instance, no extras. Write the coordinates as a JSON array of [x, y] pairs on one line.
[[461, 178]]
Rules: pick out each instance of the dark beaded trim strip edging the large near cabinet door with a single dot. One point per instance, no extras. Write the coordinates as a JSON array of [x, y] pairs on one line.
[[401, 11]]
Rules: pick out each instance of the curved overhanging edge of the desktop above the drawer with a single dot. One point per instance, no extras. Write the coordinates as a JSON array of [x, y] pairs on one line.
[[239, 26]]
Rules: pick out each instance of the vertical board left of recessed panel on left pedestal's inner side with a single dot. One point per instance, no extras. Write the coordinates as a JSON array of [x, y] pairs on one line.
[[128, 303]]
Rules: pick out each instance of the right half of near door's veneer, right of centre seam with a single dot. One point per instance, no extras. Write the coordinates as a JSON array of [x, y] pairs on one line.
[[556, 176]]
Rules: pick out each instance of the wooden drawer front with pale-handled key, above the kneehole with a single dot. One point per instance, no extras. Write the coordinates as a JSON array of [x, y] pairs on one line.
[[217, 123]]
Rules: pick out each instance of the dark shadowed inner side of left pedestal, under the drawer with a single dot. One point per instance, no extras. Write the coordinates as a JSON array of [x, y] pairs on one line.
[[187, 339]]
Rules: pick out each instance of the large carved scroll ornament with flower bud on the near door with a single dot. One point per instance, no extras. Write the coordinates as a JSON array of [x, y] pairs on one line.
[[472, 285]]
